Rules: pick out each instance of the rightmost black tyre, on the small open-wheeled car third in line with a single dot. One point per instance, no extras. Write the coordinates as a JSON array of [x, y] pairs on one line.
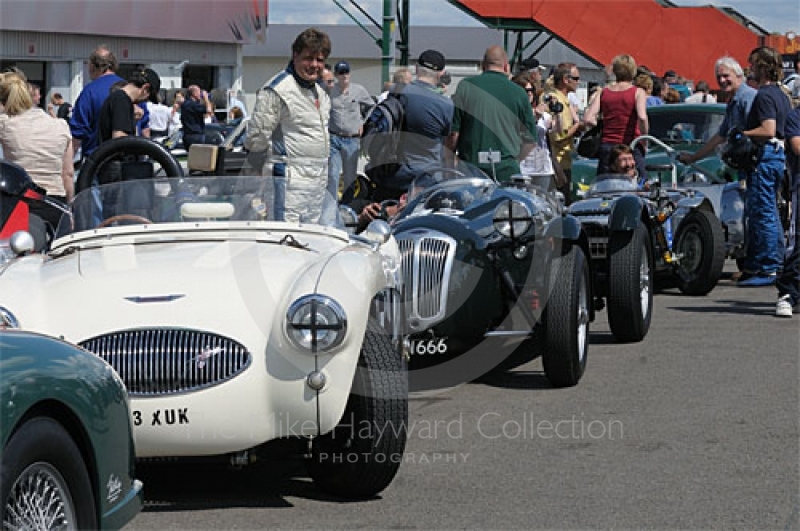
[[700, 248]]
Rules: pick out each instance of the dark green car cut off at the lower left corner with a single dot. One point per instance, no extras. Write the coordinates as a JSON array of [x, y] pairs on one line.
[[68, 458]]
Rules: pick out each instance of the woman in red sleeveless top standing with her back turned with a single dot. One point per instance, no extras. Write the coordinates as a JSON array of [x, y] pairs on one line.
[[623, 108]]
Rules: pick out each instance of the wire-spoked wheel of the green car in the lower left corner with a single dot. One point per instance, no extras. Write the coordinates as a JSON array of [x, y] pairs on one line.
[[44, 480]]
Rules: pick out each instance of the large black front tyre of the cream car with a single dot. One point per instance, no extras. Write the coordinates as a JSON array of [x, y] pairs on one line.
[[361, 456]]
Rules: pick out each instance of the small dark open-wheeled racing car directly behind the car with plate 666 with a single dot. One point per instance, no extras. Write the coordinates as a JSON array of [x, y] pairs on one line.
[[642, 240]]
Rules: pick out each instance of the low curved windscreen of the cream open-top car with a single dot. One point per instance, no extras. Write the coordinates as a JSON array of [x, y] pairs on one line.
[[173, 200]]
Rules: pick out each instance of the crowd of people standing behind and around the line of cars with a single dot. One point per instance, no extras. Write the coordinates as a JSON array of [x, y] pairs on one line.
[[509, 119]]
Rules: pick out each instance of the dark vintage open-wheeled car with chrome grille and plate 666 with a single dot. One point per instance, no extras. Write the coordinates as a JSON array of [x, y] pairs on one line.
[[488, 267]]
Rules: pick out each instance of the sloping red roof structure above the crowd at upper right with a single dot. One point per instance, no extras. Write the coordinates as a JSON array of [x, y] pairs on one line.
[[685, 39]]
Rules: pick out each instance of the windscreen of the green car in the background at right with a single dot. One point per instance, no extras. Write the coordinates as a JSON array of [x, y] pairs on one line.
[[681, 126]]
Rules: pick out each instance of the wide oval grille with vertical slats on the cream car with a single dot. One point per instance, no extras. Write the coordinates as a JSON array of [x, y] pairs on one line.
[[165, 361]]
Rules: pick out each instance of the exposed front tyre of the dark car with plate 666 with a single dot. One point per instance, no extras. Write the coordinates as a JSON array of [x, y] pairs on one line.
[[567, 315]]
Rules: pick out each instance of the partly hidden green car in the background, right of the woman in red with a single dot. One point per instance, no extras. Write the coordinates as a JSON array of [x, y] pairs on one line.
[[683, 126]]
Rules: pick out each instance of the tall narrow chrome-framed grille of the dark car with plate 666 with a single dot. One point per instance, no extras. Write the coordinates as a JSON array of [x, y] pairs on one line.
[[427, 261]]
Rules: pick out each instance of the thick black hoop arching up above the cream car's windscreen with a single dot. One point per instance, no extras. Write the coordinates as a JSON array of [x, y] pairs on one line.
[[133, 145]]
